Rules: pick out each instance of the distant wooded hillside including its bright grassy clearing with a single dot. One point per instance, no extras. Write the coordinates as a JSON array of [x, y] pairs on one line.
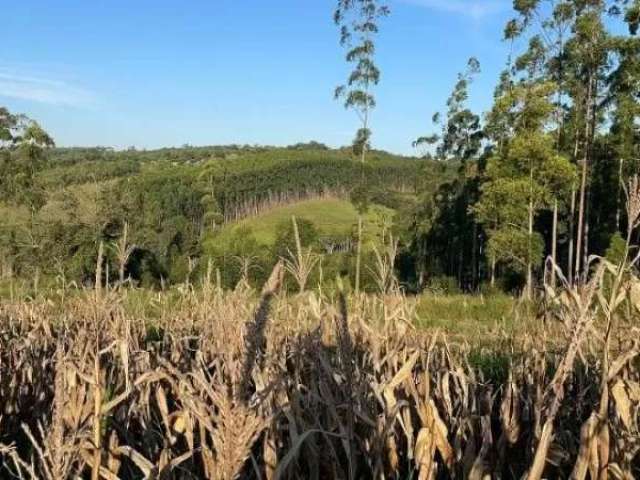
[[195, 203]]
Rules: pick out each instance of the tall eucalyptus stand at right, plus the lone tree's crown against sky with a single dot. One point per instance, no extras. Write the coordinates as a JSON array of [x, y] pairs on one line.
[[543, 173]]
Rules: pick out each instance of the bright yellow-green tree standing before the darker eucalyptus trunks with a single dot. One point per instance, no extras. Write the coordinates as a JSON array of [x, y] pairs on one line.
[[526, 177]]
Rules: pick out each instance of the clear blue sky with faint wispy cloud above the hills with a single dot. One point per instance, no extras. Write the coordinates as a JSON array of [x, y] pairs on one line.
[[162, 73]]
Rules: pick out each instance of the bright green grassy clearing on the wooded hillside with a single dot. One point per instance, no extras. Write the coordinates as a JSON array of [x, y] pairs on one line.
[[332, 218]]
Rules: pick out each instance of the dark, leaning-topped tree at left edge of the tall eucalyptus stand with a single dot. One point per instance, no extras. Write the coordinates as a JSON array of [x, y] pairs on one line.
[[444, 234]]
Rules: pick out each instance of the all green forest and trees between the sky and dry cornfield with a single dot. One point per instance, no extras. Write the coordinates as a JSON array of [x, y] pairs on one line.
[[491, 196]]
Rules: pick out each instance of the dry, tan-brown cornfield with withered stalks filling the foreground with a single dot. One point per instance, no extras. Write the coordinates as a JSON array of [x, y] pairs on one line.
[[234, 385]]
